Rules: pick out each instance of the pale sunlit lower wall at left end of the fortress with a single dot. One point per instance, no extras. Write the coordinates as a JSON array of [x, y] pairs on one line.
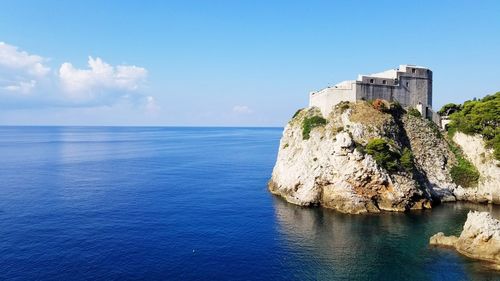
[[326, 99]]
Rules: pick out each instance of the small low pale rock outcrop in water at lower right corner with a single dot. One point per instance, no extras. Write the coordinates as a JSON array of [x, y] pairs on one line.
[[480, 238]]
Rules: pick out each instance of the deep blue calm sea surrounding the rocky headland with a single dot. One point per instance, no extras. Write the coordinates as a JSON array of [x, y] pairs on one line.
[[103, 203]]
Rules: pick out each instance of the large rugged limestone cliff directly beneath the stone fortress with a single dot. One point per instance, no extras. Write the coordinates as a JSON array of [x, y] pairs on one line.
[[331, 169]]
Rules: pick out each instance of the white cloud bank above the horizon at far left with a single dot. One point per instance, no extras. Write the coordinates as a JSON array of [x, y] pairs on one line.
[[27, 81]]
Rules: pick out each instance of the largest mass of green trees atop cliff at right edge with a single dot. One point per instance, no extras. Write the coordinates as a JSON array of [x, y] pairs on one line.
[[479, 117]]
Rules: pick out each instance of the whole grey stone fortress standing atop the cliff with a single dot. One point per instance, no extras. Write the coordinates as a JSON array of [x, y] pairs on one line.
[[410, 85]]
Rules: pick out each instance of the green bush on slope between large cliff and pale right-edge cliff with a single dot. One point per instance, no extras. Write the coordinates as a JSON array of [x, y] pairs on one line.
[[463, 173]]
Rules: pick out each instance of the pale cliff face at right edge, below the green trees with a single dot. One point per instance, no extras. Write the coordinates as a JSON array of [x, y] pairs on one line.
[[488, 189]]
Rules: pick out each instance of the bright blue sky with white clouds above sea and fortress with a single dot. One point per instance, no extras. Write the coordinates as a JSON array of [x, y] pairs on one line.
[[227, 63]]
